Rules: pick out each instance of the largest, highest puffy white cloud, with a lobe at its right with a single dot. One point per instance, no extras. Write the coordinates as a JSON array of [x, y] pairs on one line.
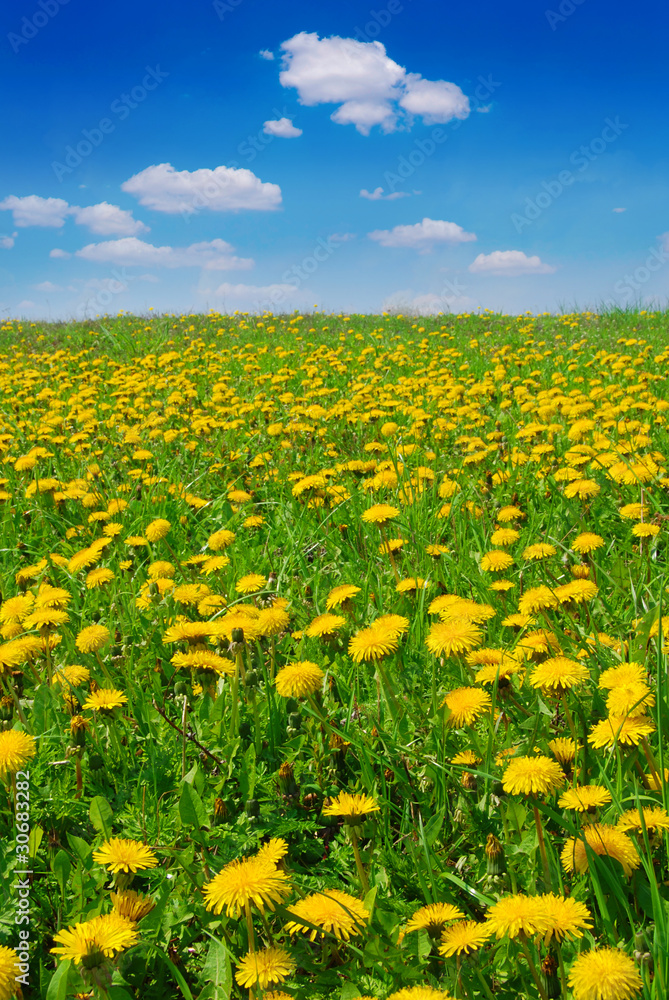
[[369, 87]]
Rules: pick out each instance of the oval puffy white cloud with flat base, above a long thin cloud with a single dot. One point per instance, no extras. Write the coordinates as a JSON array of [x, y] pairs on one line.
[[223, 189]]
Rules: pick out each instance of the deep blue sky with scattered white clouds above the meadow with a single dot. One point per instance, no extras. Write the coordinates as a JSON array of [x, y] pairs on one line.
[[189, 156]]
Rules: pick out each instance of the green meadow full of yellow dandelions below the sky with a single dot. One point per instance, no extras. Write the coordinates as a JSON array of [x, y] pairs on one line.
[[333, 658]]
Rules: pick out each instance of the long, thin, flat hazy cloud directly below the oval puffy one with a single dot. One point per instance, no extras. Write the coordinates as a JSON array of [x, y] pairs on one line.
[[215, 255]]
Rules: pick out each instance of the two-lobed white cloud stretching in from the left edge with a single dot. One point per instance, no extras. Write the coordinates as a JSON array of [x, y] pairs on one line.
[[103, 218]]
